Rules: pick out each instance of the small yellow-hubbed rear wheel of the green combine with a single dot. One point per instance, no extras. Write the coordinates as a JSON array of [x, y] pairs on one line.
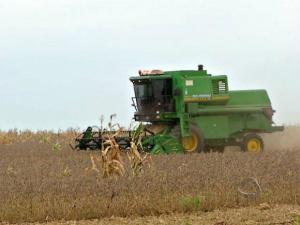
[[252, 143]]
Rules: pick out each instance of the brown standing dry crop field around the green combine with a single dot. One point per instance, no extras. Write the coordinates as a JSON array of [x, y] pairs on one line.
[[42, 179]]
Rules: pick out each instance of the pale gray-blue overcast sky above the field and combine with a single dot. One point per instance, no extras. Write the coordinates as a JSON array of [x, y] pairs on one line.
[[63, 63]]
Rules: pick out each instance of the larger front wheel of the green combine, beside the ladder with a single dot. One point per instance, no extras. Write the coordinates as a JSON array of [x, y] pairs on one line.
[[192, 144]]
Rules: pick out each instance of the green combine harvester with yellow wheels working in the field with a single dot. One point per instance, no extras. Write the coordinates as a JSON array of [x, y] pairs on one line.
[[192, 111]]
